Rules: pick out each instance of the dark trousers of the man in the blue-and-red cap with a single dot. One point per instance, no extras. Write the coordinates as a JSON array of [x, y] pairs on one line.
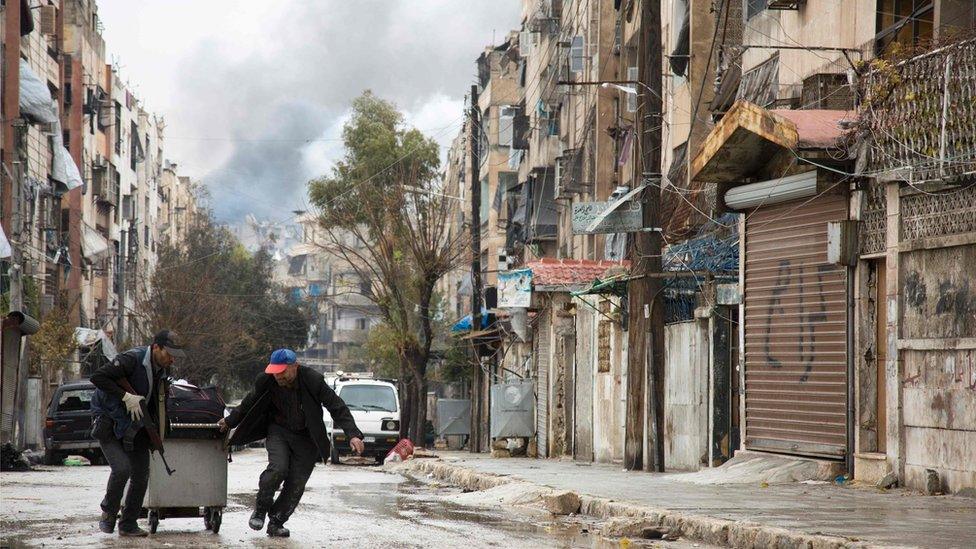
[[291, 458]]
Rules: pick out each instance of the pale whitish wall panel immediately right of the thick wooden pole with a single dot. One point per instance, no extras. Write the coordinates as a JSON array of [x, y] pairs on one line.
[[686, 396]]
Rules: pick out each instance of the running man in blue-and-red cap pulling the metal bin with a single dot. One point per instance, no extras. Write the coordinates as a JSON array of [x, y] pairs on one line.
[[285, 409]]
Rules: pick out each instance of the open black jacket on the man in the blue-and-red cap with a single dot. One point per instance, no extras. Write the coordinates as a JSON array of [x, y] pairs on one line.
[[254, 414]]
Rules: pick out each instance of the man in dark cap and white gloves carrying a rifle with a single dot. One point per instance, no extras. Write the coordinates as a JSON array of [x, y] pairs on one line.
[[116, 411]]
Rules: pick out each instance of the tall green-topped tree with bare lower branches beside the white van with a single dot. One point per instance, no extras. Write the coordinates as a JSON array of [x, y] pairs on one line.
[[386, 217]]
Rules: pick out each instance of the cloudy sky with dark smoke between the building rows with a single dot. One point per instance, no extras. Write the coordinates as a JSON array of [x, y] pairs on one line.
[[254, 93]]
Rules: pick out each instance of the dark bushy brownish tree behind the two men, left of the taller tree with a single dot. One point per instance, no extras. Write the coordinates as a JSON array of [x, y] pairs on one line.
[[222, 300]]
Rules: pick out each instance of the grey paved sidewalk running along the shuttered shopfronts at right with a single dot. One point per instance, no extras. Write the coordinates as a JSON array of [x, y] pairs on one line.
[[859, 514]]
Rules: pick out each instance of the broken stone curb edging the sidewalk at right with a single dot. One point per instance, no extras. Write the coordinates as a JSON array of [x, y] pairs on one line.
[[628, 519]]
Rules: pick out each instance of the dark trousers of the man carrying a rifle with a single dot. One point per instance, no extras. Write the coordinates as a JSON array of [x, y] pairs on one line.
[[128, 466]]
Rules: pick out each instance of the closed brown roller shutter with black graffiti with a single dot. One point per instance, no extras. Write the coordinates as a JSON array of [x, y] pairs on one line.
[[795, 330]]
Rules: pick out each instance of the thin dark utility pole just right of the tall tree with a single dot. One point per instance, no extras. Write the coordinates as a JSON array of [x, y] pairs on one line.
[[474, 439]]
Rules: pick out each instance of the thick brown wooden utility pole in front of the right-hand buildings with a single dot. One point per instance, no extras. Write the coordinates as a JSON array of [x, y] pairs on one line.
[[645, 361]]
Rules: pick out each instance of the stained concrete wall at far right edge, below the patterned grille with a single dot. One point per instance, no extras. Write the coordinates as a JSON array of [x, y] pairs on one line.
[[939, 383]]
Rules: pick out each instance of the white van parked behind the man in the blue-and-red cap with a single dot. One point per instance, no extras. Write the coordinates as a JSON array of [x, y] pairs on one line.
[[375, 405]]
